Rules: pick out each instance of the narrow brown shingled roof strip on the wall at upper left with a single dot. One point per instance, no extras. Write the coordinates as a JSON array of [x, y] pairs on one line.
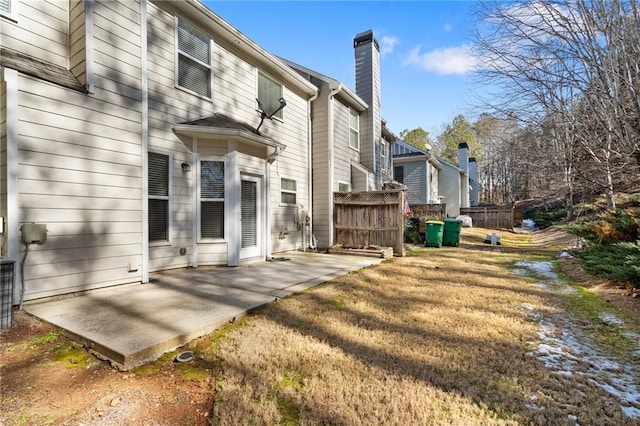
[[46, 71]]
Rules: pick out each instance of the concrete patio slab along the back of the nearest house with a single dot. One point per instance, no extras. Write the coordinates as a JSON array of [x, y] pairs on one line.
[[136, 323]]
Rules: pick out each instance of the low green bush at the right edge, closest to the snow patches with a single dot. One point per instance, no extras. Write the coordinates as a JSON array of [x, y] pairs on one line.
[[618, 262]]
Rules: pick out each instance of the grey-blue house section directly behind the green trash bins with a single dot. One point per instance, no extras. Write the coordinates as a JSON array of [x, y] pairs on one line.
[[418, 170]]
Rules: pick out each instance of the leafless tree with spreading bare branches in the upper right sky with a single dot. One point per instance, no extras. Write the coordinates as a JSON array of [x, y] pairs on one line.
[[571, 70]]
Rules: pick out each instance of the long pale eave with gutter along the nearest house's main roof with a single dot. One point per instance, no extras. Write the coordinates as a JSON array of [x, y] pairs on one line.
[[236, 40]]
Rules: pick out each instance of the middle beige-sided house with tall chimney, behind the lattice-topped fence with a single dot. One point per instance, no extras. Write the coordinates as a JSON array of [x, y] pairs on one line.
[[351, 143]]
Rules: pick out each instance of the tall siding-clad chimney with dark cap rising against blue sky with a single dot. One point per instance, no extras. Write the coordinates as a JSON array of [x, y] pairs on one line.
[[367, 68]]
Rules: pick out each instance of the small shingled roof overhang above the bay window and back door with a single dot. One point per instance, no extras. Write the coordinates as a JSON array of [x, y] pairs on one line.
[[221, 126]]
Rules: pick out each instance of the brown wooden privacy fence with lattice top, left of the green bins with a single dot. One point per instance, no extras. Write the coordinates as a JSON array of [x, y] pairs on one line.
[[371, 218]]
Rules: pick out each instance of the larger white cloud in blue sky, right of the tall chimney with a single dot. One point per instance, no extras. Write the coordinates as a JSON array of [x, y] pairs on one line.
[[443, 61]]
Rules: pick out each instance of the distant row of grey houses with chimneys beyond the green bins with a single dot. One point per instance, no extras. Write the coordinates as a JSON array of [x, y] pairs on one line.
[[437, 181]]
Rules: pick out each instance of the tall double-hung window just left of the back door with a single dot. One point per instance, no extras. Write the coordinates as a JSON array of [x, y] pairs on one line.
[[211, 200]]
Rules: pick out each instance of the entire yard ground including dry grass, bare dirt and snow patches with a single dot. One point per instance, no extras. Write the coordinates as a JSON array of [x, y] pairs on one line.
[[467, 335]]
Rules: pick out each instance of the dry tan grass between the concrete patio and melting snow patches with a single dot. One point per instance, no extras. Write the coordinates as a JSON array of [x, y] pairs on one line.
[[438, 339]]
